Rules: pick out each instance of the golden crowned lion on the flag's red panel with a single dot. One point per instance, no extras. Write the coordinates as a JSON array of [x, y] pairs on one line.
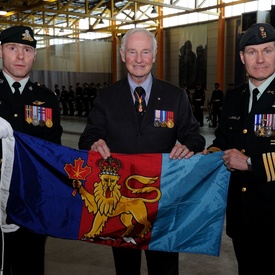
[[107, 201]]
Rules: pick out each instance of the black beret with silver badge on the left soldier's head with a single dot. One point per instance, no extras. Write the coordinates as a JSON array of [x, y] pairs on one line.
[[18, 34]]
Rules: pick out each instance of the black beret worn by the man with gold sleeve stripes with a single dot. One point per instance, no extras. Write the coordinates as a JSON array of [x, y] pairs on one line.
[[258, 33]]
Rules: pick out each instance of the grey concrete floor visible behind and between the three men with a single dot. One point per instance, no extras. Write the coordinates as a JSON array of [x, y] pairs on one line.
[[81, 258]]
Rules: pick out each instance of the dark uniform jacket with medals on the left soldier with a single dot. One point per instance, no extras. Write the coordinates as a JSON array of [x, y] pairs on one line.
[[36, 113]]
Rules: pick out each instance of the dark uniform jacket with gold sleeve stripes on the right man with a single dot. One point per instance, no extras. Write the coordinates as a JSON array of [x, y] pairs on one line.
[[251, 195]]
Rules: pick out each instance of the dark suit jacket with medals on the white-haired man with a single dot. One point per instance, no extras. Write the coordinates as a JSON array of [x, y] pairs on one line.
[[114, 119]]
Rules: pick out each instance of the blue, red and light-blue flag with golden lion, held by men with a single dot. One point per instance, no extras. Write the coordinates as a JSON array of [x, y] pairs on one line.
[[144, 201]]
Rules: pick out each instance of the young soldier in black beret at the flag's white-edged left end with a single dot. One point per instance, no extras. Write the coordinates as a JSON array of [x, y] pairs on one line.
[[33, 110]]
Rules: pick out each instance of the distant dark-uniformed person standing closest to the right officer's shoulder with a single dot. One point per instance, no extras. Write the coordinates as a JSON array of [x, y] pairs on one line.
[[215, 104]]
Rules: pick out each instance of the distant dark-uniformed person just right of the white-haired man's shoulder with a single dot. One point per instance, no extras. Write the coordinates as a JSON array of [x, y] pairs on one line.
[[198, 103]]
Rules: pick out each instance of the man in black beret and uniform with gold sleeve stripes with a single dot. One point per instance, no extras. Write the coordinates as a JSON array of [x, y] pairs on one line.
[[246, 135]]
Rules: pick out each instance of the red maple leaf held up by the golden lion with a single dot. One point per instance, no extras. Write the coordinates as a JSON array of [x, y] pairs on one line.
[[77, 171]]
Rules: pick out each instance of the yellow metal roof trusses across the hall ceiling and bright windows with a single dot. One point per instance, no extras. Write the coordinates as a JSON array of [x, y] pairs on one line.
[[53, 14]]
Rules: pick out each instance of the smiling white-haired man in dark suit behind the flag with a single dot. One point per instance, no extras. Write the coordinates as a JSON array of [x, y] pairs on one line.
[[129, 117]]
